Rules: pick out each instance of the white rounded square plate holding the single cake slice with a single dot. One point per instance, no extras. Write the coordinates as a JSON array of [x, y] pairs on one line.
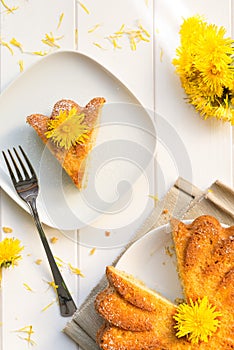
[[125, 143]]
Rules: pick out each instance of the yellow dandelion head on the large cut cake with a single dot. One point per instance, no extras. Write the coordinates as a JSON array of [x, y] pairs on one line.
[[197, 321]]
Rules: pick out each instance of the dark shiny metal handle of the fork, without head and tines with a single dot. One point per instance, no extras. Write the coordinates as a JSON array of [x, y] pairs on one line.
[[66, 303]]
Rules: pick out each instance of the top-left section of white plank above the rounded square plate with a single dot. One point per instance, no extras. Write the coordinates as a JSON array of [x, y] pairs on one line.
[[28, 25]]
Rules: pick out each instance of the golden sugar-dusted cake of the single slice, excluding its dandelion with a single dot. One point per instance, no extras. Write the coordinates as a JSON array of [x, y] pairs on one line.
[[74, 160]]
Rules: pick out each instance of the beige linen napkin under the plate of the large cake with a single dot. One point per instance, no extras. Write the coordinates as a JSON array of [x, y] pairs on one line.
[[183, 201]]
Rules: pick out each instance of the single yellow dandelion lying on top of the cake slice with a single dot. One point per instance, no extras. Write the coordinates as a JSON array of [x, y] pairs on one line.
[[68, 129]]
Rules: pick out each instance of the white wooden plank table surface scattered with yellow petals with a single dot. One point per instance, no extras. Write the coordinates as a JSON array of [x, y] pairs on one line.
[[200, 151]]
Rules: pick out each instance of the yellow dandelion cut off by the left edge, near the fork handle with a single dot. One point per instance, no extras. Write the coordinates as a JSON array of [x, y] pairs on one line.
[[10, 249]]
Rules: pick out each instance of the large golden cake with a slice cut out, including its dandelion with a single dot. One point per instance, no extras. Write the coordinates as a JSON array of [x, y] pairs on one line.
[[137, 318]]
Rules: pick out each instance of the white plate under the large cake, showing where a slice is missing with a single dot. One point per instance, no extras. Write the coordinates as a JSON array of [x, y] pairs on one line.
[[153, 260]]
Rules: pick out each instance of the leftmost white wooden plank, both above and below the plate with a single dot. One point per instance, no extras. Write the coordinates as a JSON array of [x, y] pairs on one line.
[[19, 307]]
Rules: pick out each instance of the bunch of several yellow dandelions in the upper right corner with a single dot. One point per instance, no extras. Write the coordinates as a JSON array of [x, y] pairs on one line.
[[205, 63]]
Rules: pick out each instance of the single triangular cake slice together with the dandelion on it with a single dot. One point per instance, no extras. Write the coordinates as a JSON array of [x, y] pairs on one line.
[[70, 134]]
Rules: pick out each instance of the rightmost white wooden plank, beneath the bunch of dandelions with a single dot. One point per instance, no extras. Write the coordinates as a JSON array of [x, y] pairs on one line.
[[201, 150]]
